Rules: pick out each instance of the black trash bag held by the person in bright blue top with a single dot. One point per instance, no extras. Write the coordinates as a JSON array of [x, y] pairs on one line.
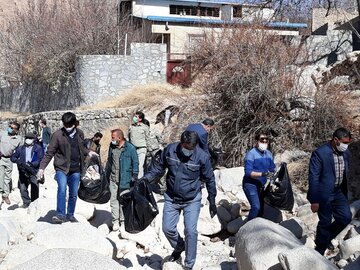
[[279, 192]]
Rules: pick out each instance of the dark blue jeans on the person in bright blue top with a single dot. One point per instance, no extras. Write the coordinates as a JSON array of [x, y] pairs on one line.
[[255, 194]]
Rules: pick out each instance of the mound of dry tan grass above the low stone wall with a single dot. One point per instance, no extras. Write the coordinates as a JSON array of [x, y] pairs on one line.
[[145, 96]]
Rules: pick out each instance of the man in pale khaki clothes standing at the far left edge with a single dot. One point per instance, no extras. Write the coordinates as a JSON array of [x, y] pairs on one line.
[[9, 141]]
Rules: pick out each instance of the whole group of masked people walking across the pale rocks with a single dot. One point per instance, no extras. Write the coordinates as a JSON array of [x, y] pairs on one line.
[[188, 169]]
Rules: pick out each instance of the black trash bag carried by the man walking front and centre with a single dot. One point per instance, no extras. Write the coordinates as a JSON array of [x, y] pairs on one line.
[[139, 207]]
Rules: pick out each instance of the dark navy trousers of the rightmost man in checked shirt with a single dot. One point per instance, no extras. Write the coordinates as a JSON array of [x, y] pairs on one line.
[[338, 207]]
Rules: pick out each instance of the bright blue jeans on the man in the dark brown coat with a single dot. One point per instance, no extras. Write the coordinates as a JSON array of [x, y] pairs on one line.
[[63, 180]]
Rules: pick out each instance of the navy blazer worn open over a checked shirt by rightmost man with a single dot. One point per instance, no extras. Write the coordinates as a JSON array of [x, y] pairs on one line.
[[322, 176]]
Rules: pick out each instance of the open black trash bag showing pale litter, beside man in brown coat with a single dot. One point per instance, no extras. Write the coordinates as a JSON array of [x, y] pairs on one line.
[[94, 187]]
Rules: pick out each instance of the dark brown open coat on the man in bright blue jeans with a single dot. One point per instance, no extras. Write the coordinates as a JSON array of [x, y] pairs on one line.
[[60, 149]]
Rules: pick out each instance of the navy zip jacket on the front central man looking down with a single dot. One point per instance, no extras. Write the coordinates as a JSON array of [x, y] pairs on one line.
[[184, 174]]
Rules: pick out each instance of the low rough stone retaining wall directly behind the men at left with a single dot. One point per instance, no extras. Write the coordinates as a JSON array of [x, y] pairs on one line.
[[91, 121]]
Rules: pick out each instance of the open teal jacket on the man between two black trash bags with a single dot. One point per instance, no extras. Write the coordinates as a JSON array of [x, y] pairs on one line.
[[129, 165]]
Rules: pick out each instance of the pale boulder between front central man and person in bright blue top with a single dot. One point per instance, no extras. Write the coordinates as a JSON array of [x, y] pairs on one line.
[[228, 179]]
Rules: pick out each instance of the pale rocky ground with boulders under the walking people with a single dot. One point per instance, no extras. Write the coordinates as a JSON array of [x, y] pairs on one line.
[[28, 240]]
